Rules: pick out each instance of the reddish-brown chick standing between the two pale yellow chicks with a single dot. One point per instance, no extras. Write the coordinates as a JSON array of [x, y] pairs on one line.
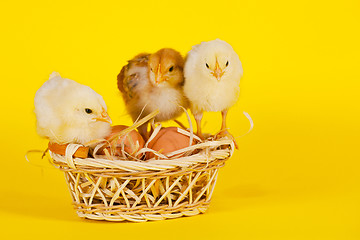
[[155, 81]]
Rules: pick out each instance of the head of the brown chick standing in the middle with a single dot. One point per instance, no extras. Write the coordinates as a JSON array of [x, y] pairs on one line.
[[166, 68]]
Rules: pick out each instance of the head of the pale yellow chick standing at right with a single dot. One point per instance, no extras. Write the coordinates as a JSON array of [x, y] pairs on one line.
[[215, 60]]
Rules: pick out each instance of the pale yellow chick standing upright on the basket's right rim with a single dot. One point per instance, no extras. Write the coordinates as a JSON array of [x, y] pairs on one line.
[[212, 77]]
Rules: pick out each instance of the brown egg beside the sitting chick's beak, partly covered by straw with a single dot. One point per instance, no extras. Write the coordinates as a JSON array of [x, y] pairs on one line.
[[129, 142]]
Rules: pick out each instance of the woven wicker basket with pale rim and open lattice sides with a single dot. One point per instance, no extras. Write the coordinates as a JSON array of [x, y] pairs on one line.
[[122, 189]]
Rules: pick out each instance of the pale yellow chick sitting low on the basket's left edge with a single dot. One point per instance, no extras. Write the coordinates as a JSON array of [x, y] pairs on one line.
[[68, 112]]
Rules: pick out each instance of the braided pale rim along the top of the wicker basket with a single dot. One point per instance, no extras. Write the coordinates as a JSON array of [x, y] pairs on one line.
[[209, 152]]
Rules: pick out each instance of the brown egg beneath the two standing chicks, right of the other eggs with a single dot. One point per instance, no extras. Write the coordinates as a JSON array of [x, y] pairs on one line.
[[168, 140]]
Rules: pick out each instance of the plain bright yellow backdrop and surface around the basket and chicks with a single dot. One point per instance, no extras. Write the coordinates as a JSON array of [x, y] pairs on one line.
[[296, 175]]
